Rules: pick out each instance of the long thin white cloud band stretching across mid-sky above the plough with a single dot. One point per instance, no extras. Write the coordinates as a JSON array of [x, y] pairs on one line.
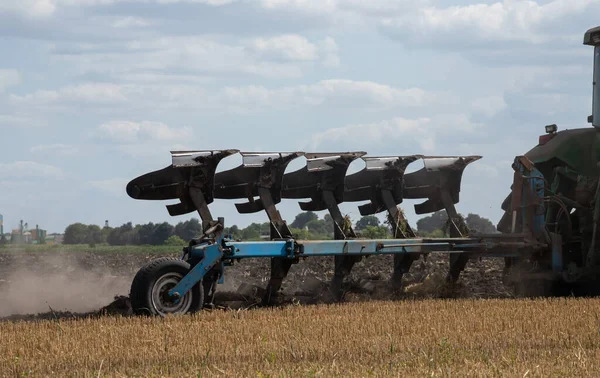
[[334, 93]]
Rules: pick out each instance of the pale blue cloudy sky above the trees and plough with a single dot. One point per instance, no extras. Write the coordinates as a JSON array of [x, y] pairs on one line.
[[94, 93]]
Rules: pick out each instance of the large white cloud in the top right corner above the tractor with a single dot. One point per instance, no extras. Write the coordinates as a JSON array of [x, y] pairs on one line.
[[483, 24]]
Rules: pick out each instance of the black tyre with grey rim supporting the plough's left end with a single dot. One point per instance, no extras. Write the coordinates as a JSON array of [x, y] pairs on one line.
[[157, 277]]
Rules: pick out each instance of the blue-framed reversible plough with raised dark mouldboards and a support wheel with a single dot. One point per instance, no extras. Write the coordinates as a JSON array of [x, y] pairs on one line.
[[168, 286]]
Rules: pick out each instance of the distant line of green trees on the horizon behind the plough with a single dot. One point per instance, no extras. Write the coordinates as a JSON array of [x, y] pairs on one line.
[[306, 225]]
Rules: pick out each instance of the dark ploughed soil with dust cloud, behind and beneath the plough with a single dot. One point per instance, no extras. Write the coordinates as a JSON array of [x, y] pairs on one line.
[[54, 285]]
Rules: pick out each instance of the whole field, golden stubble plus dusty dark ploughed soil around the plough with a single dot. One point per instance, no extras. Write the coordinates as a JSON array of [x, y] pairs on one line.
[[481, 331]]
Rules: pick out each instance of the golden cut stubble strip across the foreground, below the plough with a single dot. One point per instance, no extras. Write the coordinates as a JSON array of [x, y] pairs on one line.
[[440, 338]]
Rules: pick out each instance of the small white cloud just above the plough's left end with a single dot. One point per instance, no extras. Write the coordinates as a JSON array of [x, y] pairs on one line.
[[130, 132]]
